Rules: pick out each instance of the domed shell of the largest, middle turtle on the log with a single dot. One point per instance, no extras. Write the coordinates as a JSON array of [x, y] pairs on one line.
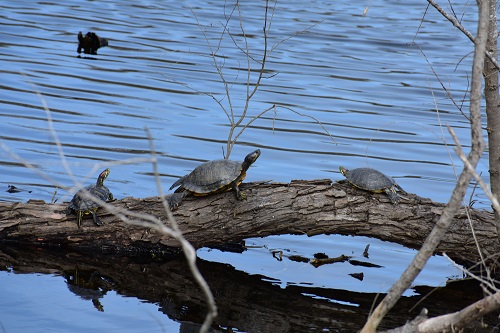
[[212, 177]]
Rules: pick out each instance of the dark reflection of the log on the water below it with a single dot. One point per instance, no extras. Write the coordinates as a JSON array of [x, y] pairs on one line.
[[246, 303]]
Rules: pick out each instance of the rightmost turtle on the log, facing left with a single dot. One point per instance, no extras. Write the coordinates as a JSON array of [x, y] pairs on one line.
[[374, 181]]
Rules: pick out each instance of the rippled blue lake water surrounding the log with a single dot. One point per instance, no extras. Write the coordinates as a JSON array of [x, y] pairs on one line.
[[349, 90]]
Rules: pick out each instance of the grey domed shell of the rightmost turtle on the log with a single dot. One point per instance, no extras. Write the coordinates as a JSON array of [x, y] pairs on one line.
[[369, 179]]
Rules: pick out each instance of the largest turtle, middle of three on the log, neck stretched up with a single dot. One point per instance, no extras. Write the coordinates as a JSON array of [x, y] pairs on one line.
[[213, 177]]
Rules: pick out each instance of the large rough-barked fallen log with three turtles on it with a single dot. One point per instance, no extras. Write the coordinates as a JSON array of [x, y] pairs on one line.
[[300, 207]]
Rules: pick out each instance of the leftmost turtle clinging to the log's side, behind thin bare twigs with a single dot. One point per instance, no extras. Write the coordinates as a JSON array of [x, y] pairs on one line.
[[82, 204]]
